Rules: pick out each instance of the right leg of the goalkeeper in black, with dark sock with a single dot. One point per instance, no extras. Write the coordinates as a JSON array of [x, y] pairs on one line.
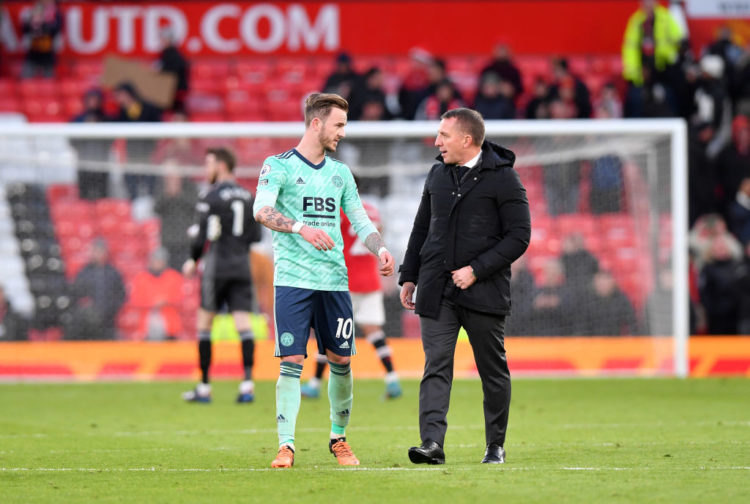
[[239, 299]]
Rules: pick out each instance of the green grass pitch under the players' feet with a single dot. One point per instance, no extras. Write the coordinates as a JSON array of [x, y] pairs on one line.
[[569, 441]]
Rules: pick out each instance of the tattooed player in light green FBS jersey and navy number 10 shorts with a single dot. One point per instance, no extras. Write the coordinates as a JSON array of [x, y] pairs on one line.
[[300, 197]]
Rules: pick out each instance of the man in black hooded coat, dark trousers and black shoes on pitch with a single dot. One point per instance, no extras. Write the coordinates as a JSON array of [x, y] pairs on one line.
[[472, 223]]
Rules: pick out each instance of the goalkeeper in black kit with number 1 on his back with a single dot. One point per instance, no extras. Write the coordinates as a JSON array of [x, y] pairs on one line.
[[221, 239]]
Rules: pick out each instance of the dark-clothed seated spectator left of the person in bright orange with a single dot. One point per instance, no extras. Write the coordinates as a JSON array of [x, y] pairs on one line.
[[98, 294]]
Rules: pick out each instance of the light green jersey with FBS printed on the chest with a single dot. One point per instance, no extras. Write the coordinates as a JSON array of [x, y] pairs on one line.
[[314, 195]]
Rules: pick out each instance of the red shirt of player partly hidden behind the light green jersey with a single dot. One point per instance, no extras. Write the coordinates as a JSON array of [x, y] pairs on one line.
[[361, 263]]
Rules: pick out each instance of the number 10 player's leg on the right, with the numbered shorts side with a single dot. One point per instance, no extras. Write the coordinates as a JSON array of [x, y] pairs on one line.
[[334, 329]]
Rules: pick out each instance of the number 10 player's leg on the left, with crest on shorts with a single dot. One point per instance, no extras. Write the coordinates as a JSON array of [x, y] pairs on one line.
[[293, 310]]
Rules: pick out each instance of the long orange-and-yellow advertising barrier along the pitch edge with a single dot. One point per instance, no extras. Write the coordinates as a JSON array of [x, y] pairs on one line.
[[632, 356]]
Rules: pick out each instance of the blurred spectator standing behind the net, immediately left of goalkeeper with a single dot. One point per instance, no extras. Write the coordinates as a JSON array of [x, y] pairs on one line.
[[175, 207]]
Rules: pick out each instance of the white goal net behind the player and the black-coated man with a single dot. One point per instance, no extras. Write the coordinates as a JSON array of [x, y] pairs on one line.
[[604, 279]]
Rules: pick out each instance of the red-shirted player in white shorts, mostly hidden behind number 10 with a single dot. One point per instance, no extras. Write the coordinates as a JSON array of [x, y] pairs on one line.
[[367, 301]]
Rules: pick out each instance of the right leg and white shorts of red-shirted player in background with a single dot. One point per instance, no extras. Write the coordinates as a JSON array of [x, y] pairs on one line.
[[369, 313]]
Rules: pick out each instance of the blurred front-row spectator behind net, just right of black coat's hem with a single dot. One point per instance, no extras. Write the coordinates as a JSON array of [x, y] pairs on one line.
[[552, 308]]
